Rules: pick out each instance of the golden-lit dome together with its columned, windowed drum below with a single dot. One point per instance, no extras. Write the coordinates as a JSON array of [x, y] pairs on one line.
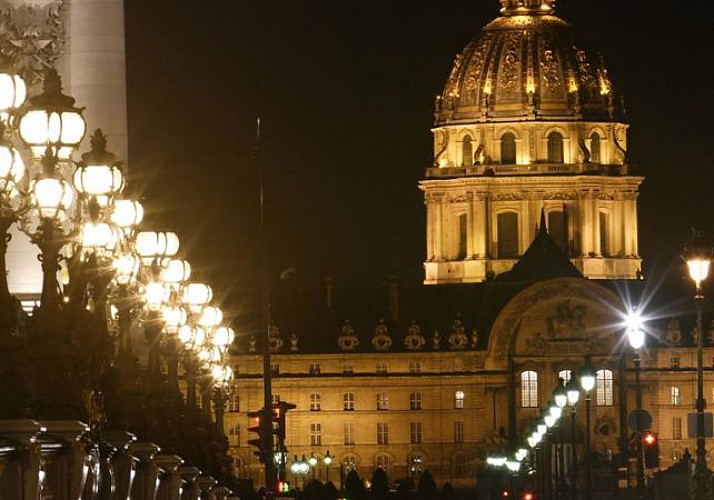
[[529, 122]]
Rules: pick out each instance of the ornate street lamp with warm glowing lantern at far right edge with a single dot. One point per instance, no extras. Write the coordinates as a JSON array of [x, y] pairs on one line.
[[698, 256]]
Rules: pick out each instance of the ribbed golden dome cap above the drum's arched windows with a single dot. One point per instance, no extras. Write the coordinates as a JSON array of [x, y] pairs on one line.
[[526, 65]]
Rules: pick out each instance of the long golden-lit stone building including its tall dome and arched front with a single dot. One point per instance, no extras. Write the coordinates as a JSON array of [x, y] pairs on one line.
[[532, 258]]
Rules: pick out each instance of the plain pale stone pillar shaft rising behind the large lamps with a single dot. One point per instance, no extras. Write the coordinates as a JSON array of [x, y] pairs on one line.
[[95, 66]]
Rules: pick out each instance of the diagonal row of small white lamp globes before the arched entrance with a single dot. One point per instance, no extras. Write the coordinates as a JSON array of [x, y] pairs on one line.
[[565, 394]]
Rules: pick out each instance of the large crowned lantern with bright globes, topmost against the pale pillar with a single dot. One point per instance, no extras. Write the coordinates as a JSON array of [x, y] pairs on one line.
[[51, 119]]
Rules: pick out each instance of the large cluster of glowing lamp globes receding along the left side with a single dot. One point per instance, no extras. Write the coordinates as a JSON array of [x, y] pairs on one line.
[[92, 217]]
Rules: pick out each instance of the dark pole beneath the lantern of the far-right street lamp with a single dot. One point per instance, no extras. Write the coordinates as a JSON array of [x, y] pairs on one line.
[[702, 475]]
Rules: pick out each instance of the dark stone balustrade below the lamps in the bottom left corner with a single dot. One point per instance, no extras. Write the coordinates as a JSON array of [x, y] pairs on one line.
[[56, 459]]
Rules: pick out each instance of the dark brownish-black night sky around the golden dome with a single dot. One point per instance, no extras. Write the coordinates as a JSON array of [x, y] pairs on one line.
[[345, 91]]
